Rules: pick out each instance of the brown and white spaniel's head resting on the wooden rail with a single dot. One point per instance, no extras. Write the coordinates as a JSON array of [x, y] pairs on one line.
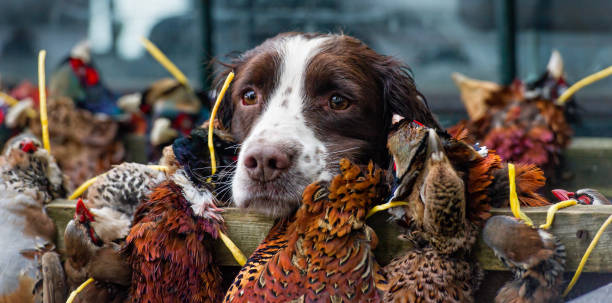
[[300, 102]]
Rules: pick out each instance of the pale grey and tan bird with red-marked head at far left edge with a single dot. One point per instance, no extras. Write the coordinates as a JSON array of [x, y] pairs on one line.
[[29, 179]]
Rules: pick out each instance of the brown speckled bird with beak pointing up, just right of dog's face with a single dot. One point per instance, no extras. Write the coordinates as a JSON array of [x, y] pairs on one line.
[[438, 269]]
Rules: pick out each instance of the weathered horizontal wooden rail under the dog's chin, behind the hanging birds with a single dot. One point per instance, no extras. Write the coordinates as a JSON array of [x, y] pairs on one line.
[[574, 226]]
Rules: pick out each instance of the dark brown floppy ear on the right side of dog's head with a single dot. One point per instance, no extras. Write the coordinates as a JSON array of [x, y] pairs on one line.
[[401, 97]]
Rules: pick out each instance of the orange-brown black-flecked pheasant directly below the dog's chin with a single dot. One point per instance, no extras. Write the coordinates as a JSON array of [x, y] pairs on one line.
[[324, 253]]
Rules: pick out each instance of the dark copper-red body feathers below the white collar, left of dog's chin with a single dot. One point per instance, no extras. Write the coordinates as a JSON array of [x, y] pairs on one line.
[[169, 249]]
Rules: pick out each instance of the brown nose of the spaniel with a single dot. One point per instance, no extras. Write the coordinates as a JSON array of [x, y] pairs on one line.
[[265, 163]]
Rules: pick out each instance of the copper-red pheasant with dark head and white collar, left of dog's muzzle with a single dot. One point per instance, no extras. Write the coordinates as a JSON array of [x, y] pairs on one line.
[[169, 247]]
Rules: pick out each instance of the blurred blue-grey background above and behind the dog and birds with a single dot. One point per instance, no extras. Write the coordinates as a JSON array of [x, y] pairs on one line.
[[435, 38]]
